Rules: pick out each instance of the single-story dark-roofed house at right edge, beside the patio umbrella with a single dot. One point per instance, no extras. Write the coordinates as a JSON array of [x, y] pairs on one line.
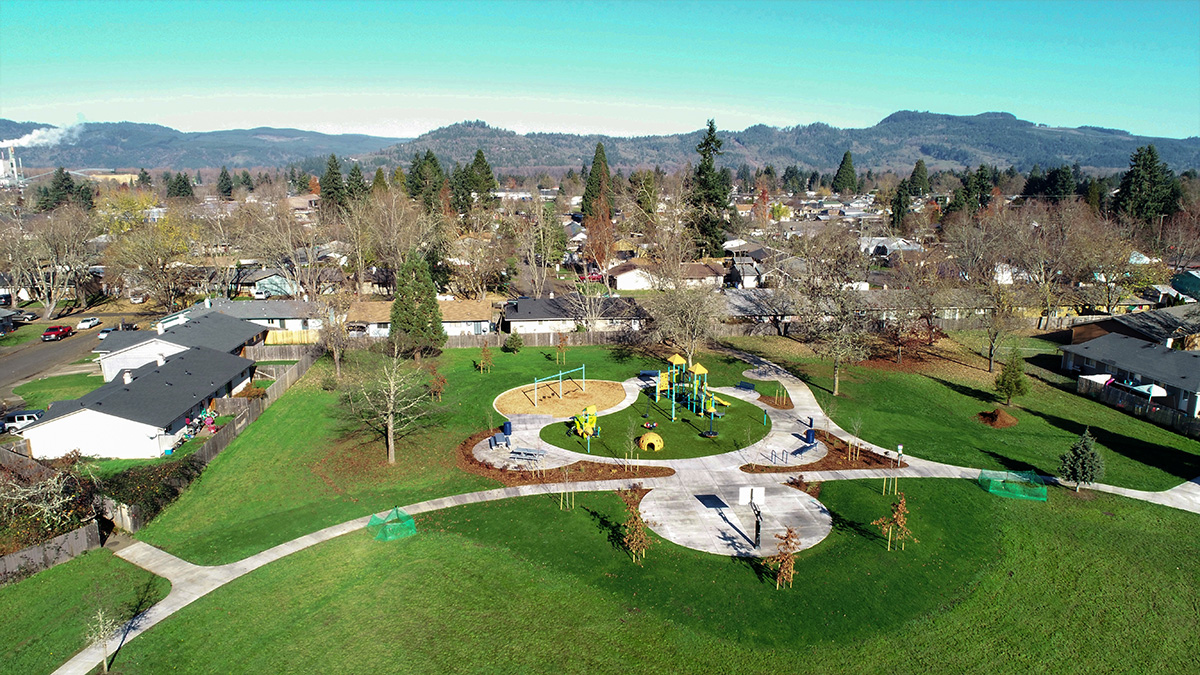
[[1135, 363]]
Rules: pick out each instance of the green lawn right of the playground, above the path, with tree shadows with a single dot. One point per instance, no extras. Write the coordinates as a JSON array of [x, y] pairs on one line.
[[933, 415]]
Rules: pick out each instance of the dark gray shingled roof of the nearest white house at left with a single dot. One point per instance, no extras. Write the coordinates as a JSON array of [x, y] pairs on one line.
[[160, 395]]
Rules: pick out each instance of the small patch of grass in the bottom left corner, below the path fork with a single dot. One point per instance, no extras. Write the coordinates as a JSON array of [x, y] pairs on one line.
[[44, 618]]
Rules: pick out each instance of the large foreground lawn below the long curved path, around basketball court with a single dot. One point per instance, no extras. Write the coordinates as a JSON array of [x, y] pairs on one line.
[[520, 587]]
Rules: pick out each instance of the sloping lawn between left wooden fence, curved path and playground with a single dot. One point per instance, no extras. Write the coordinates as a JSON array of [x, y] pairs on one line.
[[302, 467]]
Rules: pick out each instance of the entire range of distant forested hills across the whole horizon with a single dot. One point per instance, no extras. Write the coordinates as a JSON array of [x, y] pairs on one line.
[[897, 144]]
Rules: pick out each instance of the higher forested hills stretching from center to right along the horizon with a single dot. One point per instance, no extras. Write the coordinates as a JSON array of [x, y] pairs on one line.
[[897, 142]]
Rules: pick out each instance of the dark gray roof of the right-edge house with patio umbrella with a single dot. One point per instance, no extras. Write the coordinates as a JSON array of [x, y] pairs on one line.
[[1156, 362]]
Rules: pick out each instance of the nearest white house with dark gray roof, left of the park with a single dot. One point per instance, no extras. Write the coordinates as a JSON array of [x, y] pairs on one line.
[[142, 414]]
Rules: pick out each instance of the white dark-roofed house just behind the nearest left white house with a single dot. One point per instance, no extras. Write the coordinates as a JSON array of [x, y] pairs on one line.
[[128, 350]]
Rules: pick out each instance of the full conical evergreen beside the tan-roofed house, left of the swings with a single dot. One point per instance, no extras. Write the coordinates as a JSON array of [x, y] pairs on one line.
[[416, 316]]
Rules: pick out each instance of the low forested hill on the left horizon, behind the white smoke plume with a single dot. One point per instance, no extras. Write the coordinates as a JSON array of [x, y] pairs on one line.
[[130, 146]]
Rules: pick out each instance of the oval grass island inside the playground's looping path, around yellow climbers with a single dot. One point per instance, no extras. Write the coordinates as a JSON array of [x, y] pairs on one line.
[[741, 427]]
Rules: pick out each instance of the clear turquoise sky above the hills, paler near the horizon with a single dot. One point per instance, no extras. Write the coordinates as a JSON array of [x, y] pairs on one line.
[[400, 69]]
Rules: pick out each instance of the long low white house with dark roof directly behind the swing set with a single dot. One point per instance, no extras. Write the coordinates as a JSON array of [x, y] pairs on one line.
[[566, 314]]
